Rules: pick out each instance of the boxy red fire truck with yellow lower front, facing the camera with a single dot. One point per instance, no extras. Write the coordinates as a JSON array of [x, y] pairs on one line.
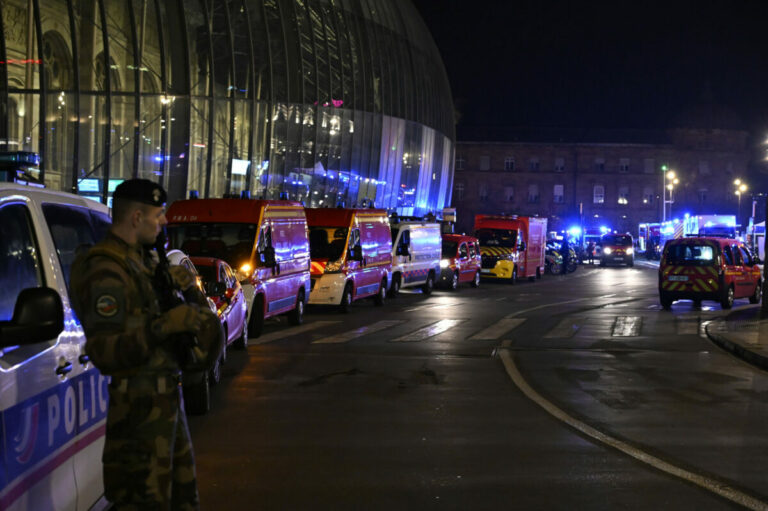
[[511, 246]]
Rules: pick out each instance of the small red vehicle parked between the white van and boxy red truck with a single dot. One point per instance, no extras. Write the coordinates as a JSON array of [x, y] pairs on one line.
[[461, 261]]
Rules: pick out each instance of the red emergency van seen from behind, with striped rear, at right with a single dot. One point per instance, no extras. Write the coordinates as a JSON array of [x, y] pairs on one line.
[[708, 268]]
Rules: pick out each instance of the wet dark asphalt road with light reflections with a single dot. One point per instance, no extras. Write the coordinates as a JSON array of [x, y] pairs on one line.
[[570, 392]]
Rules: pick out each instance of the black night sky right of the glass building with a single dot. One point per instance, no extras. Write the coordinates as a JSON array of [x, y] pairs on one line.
[[601, 64]]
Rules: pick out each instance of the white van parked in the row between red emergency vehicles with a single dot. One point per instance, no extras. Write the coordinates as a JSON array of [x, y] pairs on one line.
[[416, 253]]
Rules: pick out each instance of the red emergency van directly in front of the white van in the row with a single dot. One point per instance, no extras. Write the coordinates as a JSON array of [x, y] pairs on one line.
[[351, 255]]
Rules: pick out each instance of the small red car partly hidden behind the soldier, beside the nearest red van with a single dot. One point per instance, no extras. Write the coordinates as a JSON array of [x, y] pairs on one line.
[[226, 292]]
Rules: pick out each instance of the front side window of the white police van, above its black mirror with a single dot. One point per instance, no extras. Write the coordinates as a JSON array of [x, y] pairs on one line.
[[19, 257]]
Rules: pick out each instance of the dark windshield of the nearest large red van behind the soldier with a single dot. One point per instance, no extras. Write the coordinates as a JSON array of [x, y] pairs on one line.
[[230, 242]]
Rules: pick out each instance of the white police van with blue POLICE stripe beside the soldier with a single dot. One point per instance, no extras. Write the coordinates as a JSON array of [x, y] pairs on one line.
[[53, 402]]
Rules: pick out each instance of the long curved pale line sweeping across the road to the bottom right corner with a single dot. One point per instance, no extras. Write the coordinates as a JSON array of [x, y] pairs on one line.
[[713, 485]]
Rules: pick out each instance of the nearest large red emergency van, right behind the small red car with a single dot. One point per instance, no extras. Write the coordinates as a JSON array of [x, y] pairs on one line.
[[264, 241]]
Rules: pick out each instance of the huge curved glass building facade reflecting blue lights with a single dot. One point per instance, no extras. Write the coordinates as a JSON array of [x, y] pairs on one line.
[[322, 100]]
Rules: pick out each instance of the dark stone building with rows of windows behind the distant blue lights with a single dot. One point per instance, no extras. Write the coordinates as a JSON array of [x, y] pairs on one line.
[[594, 179]]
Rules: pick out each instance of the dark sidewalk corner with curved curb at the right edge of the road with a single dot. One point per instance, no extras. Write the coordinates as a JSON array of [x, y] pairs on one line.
[[743, 333]]
